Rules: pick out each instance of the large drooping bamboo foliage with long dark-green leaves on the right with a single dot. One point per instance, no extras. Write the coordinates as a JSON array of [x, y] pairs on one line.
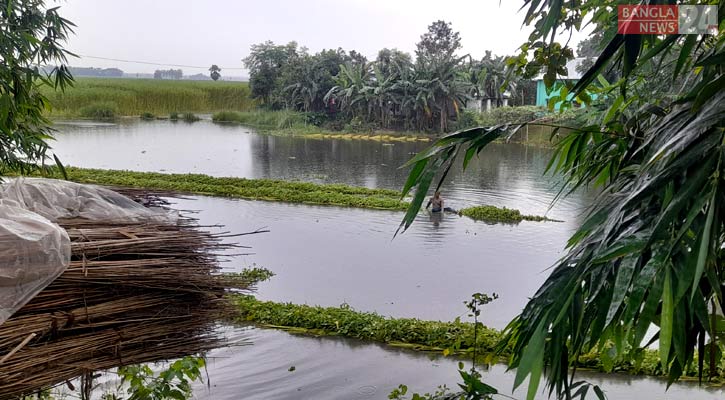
[[650, 253]]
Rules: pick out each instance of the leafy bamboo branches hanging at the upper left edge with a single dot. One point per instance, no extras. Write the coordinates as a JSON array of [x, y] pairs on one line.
[[30, 35]]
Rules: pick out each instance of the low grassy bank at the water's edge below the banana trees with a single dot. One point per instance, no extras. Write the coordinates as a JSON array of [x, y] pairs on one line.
[[297, 123]]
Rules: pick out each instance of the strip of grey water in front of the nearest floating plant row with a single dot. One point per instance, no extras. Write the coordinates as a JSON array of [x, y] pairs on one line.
[[346, 369]]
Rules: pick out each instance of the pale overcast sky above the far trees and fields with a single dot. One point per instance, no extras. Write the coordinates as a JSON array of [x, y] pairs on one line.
[[196, 33]]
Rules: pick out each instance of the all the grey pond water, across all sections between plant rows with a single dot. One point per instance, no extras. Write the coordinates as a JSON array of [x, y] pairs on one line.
[[331, 256]]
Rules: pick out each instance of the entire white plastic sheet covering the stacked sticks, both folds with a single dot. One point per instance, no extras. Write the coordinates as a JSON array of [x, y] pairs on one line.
[[33, 249]]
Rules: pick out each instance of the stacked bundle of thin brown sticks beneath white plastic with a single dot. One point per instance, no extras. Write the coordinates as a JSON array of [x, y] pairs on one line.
[[134, 292]]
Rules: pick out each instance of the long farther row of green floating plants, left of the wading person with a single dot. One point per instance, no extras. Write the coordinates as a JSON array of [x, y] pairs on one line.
[[254, 189]]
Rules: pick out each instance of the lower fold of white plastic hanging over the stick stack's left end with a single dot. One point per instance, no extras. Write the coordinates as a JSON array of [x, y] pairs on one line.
[[33, 252]]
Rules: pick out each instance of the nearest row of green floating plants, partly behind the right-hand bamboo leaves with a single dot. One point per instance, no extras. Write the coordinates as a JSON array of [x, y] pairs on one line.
[[454, 337]]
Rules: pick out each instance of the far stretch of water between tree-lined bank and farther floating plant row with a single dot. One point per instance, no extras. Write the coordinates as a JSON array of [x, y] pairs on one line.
[[504, 174]]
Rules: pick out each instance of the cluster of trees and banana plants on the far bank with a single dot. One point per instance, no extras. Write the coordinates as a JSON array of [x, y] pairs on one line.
[[393, 91]]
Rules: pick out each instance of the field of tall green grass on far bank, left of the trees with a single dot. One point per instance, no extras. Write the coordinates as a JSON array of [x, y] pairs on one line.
[[121, 97]]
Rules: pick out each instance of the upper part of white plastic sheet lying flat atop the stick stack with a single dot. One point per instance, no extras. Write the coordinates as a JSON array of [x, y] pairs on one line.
[[56, 199]]
